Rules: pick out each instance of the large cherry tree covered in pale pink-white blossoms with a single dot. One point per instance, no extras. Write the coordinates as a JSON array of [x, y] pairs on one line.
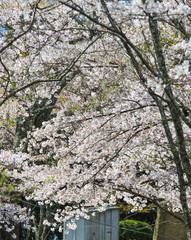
[[99, 93]]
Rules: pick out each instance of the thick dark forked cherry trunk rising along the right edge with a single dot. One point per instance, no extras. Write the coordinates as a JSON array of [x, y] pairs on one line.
[[178, 148]]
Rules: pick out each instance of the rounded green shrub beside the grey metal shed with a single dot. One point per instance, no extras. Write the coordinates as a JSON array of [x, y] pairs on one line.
[[132, 229]]
